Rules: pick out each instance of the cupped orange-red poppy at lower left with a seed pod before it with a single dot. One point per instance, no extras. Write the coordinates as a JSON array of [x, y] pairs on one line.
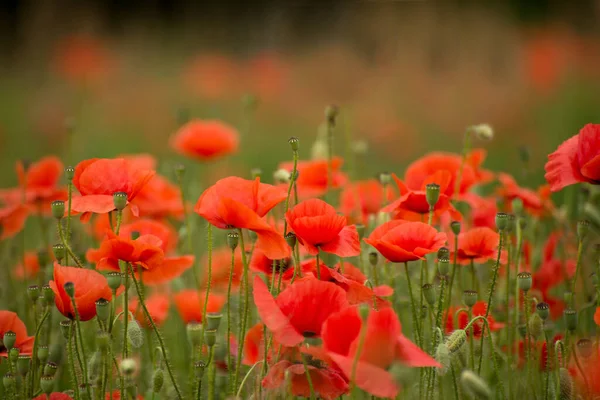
[[90, 286]]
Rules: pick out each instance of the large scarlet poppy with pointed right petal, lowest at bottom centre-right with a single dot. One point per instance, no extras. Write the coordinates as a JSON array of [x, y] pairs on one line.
[[382, 345]]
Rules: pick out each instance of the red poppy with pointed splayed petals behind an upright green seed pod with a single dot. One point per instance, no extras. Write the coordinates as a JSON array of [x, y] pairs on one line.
[[412, 204]]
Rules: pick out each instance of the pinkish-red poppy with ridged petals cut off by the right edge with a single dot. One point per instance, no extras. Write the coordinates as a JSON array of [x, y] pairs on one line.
[[576, 160]]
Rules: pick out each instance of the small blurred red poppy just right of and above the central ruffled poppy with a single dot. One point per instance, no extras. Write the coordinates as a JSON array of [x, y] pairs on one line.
[[360, 199]]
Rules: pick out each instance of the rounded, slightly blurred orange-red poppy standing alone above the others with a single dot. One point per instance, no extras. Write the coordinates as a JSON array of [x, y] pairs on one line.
[[205, 140]]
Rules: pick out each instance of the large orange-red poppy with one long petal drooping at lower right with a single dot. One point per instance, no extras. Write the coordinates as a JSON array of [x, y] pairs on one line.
[[241, 203]]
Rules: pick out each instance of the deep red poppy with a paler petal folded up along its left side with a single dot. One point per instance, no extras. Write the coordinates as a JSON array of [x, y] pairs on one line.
[[300, 310]]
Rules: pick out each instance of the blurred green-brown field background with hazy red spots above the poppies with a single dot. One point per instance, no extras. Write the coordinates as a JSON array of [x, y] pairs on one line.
[[101, 78]]
